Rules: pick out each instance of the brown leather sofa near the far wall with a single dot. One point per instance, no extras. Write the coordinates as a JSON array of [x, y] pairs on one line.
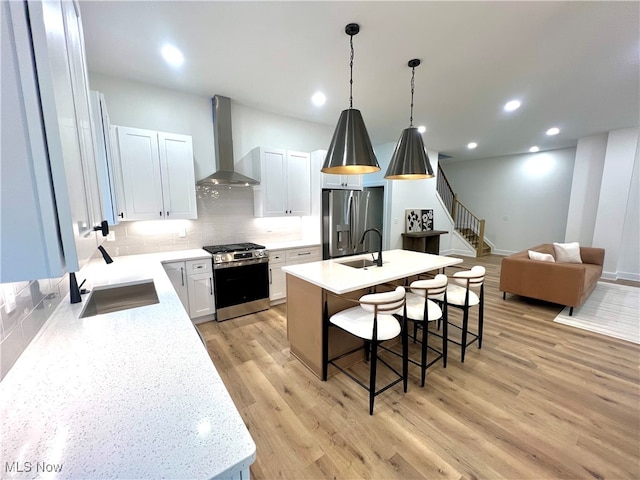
[[567, 284]]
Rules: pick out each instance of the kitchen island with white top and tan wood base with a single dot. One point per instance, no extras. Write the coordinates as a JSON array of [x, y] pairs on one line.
[[310, 285]]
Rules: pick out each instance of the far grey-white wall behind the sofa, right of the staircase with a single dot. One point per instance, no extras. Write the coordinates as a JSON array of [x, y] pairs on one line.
[[523, 198]]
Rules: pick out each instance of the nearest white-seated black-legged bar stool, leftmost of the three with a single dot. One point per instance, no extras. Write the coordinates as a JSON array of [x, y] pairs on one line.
[[373, 321]]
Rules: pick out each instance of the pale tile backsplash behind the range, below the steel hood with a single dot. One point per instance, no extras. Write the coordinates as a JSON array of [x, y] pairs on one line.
[[225, 215]]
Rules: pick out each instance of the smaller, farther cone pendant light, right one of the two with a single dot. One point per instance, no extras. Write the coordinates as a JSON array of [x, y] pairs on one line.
[[409, 160]]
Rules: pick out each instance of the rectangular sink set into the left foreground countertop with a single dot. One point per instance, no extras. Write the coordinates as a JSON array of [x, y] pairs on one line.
[[123, 296]]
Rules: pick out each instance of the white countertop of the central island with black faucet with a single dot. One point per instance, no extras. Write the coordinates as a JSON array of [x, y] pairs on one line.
[[337, 278]]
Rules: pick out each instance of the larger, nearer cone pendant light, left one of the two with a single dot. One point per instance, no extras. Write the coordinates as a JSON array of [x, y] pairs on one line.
[[350, 152]]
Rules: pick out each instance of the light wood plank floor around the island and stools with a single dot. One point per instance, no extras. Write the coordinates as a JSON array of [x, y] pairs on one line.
[[539, 400]]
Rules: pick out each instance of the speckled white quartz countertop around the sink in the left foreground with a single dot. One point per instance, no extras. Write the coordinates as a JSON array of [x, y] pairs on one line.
[[129, 394]]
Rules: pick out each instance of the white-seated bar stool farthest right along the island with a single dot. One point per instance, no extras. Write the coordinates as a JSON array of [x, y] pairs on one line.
[[461, 294]]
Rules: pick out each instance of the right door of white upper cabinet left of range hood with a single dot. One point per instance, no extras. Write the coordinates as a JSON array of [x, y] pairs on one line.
[[178, 177]]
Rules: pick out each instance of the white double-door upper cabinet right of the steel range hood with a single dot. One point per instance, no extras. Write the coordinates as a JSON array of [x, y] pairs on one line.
[[285, 181]]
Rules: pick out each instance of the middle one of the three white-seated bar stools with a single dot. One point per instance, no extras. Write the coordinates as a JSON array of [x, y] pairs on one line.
[[426, 302]]
